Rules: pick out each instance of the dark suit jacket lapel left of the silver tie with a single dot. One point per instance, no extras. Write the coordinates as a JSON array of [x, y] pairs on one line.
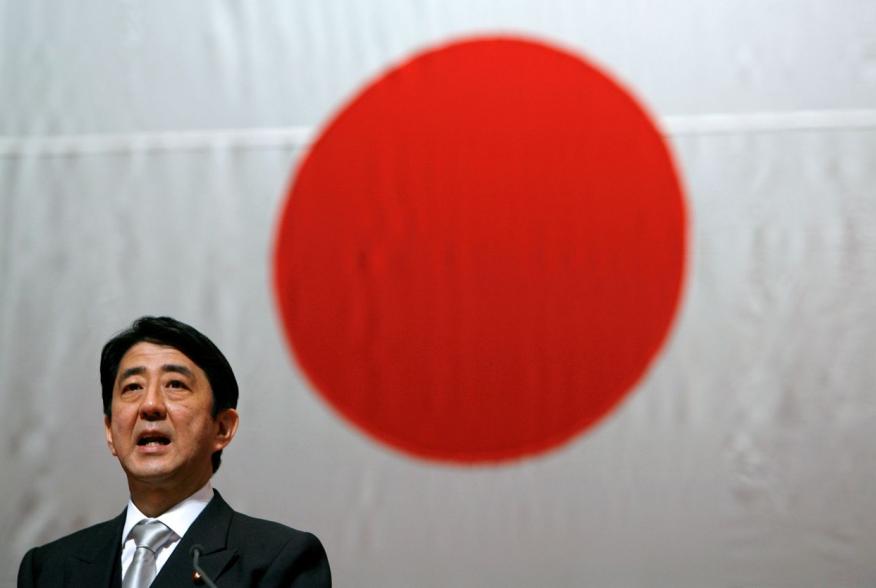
[[95, 563]]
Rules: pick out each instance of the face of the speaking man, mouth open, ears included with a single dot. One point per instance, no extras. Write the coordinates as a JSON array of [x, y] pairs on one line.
[[161, 429]]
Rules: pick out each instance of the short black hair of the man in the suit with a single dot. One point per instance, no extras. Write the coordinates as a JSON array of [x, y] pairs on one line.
[[192, 343]]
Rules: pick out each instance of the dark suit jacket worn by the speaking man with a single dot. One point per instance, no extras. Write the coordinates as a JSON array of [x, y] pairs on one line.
[[238, 551]]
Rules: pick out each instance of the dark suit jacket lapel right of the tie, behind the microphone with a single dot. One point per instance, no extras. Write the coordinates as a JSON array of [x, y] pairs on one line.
[[210, 530]]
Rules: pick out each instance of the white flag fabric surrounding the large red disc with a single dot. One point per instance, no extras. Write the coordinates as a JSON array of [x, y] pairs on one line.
[[145, 159]]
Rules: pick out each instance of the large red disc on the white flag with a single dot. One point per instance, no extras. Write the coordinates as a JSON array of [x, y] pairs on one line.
[[482, 252]]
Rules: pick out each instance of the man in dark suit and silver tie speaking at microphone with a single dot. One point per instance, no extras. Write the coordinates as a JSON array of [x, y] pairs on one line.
[[169, 398]]
